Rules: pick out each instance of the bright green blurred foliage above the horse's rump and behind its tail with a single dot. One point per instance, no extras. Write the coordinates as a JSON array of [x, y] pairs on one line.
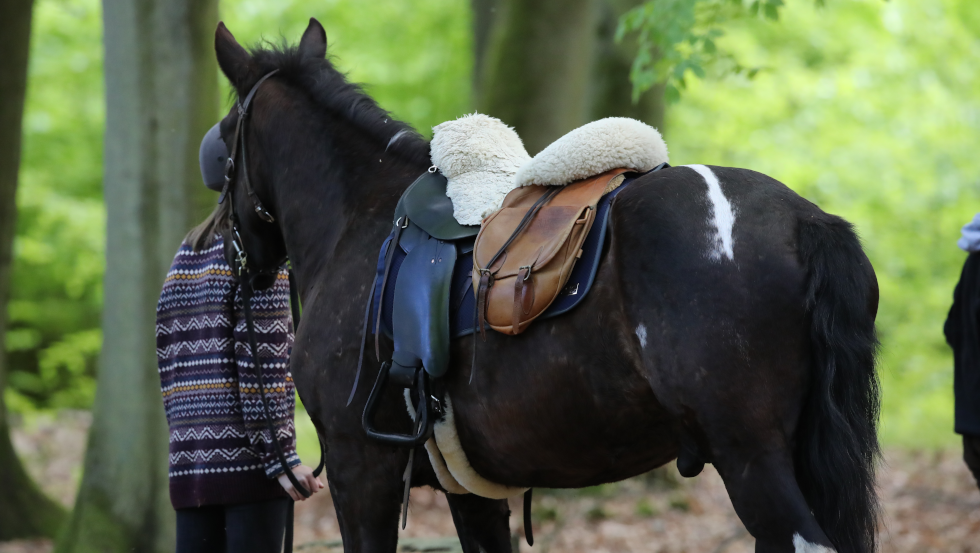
[[871, 111]]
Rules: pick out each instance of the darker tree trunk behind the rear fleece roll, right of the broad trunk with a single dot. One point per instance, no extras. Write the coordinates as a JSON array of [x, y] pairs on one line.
[[611, 91]]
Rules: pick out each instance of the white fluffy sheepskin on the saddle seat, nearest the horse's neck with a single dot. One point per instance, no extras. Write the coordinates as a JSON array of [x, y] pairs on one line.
[[479, 155]]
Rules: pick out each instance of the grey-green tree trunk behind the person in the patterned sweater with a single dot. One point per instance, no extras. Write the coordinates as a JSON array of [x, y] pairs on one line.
[[161, 96]]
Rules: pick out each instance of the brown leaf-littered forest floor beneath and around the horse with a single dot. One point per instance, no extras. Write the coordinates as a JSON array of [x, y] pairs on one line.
[[930, 500]]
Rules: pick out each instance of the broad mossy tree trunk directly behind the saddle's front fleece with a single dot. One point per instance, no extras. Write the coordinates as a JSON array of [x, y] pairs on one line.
[[537, 66]]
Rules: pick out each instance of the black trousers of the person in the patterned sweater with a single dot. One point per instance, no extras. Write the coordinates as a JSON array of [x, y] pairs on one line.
[[246, 528]]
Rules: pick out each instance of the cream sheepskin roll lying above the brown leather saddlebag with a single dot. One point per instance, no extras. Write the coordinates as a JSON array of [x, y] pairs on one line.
[[595, 148]]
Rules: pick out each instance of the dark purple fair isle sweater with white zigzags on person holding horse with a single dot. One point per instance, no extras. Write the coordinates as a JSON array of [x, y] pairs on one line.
[[220, 449]]
